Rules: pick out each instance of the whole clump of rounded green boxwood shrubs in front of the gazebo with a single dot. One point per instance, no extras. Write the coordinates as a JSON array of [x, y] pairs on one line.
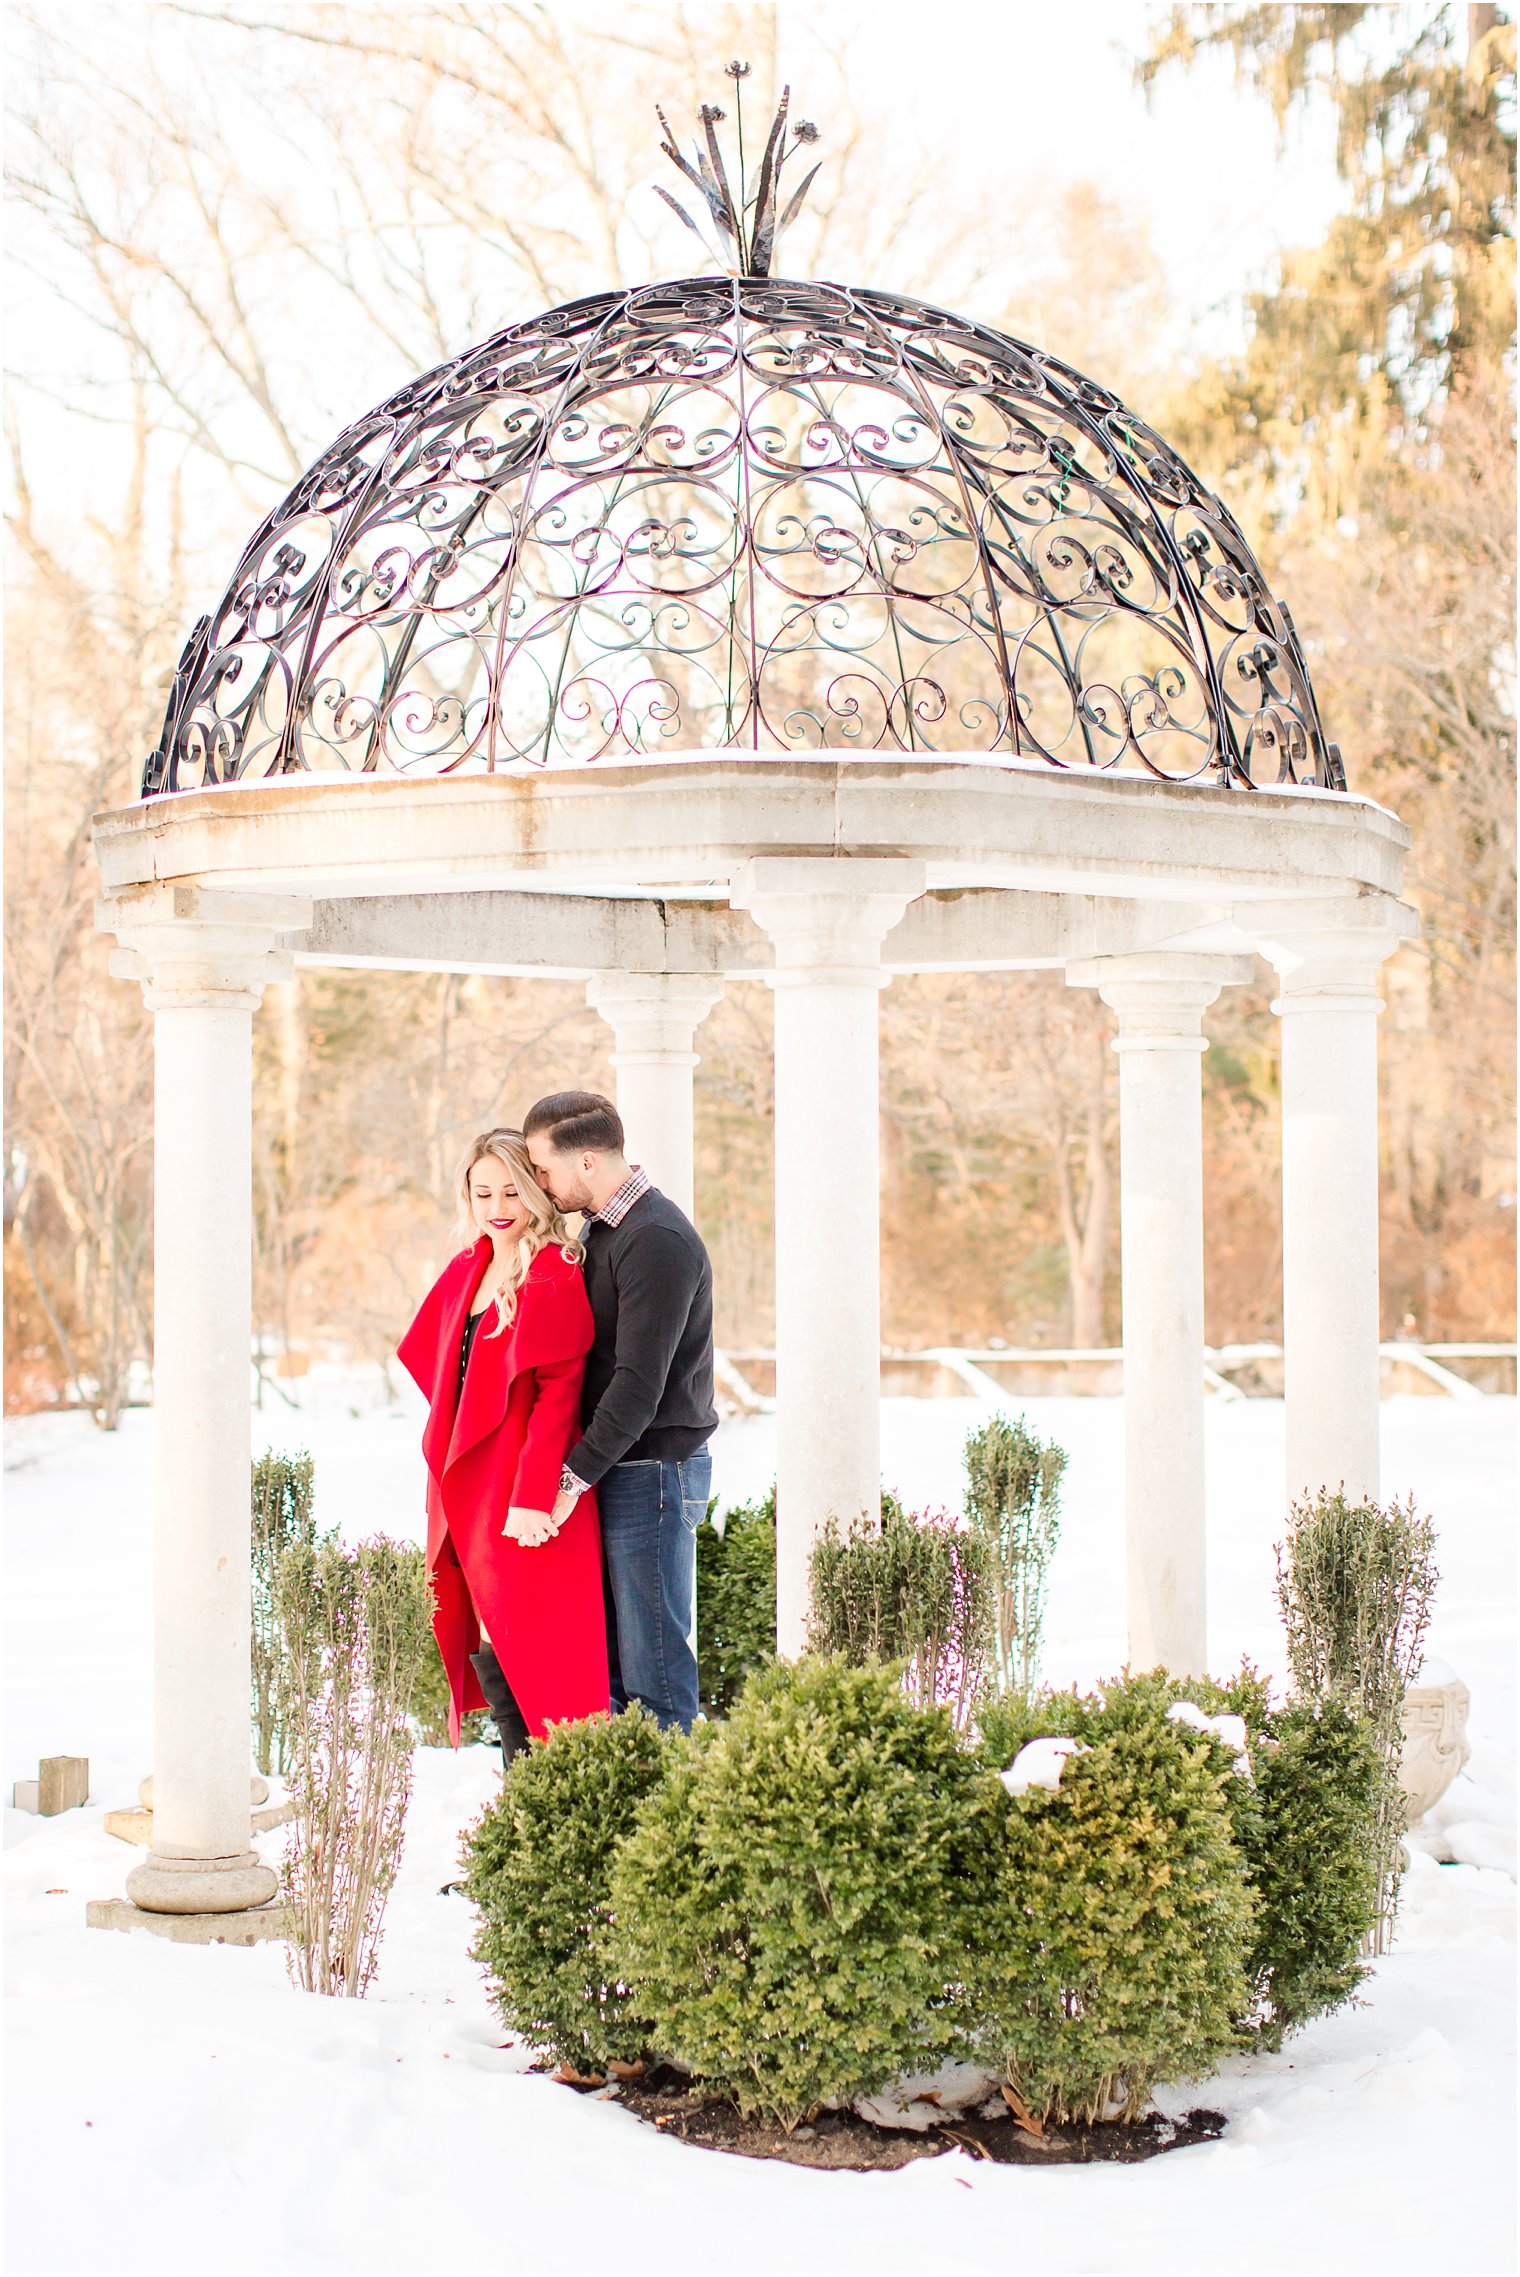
[[834, 1889]]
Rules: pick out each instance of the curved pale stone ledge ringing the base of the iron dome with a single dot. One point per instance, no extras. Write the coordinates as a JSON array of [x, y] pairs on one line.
[[679, 828]]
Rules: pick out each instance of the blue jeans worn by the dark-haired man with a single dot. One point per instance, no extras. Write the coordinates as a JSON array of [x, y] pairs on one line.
[[650, 1518]]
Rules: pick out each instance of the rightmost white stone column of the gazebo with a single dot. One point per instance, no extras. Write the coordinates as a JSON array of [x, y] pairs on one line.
[[1330, 957]]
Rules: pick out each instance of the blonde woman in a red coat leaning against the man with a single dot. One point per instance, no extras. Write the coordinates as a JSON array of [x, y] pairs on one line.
[[499, 1354]]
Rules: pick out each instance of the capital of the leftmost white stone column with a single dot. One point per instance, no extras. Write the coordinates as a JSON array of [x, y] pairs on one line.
[[195, 948]]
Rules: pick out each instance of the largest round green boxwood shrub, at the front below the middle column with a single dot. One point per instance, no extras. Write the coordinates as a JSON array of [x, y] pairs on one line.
[[798, 1898]]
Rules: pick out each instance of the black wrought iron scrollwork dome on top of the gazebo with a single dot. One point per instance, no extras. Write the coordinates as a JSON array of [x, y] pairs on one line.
[[741, 513]]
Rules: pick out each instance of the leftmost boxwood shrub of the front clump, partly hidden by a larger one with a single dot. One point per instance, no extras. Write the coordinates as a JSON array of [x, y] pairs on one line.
[[538, 1868]]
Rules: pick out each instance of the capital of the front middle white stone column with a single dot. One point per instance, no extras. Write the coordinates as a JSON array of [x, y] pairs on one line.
[[827, 919]]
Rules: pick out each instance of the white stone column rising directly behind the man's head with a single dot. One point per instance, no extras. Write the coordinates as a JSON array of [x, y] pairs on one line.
[[654, 1019]]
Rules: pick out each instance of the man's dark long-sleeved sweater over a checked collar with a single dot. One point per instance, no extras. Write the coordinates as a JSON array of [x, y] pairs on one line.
[[650, 1372]]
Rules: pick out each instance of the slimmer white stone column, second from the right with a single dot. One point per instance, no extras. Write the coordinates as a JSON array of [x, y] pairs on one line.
[[1162, 1001]]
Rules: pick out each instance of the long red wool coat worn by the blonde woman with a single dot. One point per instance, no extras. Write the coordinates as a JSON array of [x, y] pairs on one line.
[[497, 1449]]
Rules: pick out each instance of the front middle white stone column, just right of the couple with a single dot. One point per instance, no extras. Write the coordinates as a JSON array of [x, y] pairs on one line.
[[827, 923]]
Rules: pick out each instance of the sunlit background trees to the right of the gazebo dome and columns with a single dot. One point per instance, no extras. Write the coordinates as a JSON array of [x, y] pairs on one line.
[[1366, 441]]
